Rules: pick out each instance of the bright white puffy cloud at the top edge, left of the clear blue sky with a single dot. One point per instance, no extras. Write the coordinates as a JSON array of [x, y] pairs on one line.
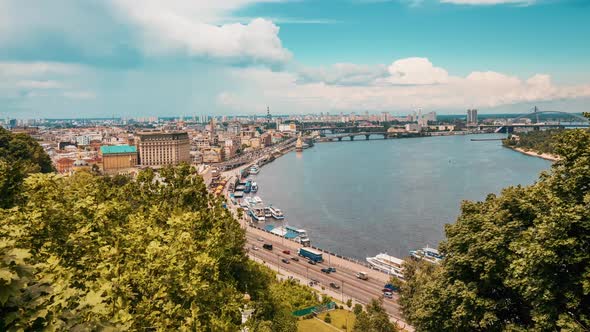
[[189, 28]]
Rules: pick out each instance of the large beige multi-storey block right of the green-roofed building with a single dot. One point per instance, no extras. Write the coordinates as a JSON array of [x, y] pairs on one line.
[[163, 148]]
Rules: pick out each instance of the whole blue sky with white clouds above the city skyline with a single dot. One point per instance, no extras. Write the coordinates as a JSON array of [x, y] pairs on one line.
[[89, 58]]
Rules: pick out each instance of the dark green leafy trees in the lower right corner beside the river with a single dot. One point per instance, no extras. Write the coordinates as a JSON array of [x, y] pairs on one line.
[[517, 261]]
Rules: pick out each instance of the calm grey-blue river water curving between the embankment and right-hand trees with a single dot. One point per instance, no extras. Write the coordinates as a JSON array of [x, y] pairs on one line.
[[363, 197]]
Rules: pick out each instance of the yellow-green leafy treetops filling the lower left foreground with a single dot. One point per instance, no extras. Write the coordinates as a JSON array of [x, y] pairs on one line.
[[157, 252]]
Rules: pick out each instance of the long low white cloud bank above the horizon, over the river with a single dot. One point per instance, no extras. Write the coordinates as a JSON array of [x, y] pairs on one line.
[[287, 94]]
